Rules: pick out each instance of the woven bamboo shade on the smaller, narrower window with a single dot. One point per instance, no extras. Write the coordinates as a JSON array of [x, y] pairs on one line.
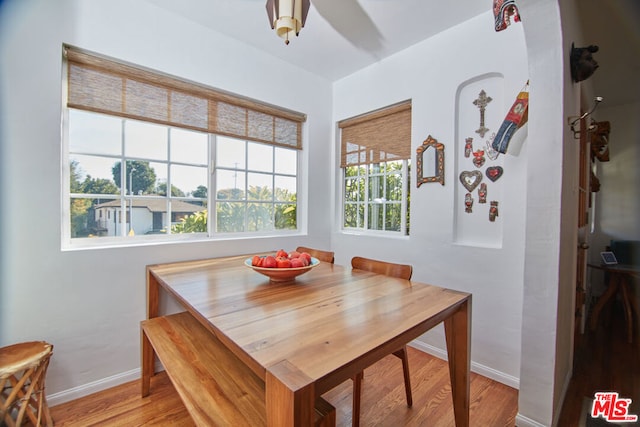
[[380, 136]]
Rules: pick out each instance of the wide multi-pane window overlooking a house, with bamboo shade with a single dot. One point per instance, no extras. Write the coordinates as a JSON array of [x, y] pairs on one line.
[[146, 155]]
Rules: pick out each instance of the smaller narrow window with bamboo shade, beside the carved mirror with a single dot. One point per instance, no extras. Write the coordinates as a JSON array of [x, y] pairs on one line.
[[375, 164]]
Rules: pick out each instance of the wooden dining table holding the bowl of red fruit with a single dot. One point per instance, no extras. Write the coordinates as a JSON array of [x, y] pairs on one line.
[[308, 335]]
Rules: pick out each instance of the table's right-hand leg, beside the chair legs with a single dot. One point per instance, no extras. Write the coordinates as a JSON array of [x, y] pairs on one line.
[[458, 335]]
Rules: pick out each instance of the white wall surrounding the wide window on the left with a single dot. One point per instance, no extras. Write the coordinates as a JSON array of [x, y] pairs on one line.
[[89, 303]]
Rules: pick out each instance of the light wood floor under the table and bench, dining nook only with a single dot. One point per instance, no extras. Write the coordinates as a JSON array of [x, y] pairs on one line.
[[383, 401]]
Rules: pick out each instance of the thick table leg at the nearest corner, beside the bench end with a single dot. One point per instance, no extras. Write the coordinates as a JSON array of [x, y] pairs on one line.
[[290, 397]]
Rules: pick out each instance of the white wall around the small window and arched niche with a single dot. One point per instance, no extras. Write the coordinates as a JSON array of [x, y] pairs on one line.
[[431, 74]]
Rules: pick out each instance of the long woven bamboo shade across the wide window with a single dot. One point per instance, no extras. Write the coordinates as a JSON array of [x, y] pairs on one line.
[[103, 85]]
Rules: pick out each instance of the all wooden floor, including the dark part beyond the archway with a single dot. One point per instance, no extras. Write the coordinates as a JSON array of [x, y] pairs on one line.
[[604, 361]]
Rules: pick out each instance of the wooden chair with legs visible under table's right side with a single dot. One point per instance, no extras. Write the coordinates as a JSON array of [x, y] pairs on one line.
[[401, 271]]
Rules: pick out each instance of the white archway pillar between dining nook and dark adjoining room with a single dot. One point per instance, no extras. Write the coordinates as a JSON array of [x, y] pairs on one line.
[[551, 236]]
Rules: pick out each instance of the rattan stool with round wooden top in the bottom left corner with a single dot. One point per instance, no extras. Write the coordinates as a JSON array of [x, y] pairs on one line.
[[23, 368]]
